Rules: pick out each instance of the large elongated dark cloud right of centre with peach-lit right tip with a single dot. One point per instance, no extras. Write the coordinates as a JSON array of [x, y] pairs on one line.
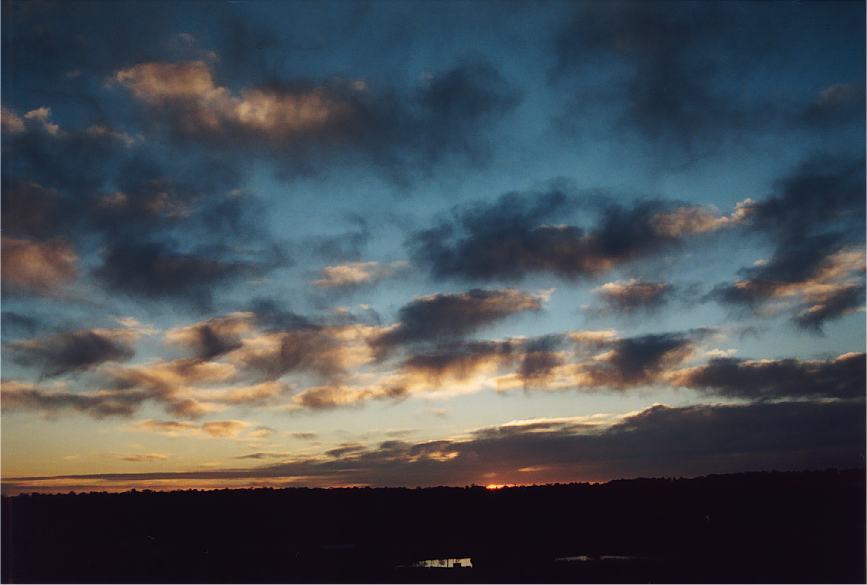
[[512, 237]]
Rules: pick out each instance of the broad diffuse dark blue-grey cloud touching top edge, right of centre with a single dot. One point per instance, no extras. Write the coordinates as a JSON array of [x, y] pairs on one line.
[[667, 60]]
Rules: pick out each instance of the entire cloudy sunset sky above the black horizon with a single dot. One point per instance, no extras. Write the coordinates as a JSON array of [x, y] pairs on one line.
[[429, 243]]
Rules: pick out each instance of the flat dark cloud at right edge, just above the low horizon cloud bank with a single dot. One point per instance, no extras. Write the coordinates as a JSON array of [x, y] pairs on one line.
[[842, 377]]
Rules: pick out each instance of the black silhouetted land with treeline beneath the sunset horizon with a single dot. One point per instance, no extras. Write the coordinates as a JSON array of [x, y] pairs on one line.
[[756, 527]]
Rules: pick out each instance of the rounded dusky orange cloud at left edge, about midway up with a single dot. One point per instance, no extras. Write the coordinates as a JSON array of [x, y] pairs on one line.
[[39, 268]]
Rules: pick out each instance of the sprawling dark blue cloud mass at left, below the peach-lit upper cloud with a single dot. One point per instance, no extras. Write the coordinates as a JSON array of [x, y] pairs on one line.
[[96, 188]]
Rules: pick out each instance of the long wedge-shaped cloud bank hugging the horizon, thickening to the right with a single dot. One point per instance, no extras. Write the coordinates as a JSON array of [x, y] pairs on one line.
[[657, 441]]
